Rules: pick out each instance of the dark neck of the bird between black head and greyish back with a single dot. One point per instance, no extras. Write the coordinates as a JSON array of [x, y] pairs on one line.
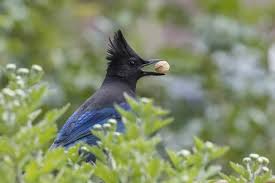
[[121, 84]]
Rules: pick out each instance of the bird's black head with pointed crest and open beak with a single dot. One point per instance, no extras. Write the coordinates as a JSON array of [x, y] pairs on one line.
[[124, 62]]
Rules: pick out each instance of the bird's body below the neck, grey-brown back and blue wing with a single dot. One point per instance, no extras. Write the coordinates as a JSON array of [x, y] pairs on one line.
[[98, 109]]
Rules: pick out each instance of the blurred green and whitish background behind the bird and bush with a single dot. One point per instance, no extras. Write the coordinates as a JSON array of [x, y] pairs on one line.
[[222, 54]]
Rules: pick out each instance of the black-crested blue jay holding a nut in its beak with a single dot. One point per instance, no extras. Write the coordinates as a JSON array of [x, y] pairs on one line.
[[124, 69]]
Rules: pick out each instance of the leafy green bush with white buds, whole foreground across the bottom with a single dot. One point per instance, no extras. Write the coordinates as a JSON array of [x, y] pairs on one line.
[[26, 132]]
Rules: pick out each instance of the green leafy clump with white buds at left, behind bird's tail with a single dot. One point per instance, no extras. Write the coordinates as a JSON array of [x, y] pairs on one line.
[[27, 131]]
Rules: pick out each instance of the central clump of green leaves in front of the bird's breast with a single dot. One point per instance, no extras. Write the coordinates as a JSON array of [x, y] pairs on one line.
[[134, 153]]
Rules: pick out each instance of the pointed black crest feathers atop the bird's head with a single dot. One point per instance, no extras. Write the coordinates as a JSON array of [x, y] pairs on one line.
[[119, 48]]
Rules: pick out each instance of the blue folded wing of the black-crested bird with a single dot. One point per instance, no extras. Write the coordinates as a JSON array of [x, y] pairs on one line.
[[78, 126]]
